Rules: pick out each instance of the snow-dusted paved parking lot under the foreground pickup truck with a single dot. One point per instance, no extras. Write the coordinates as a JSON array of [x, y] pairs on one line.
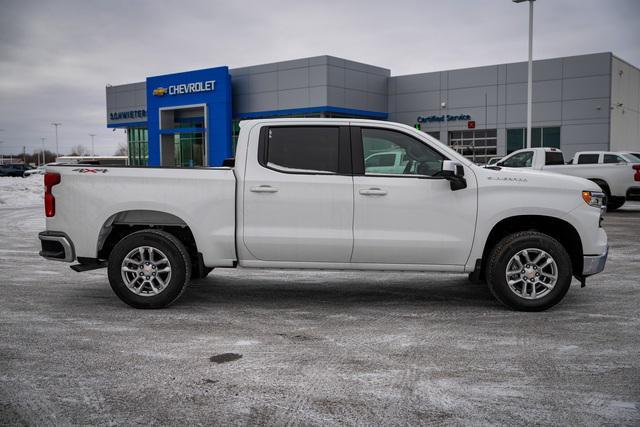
[[260, 347]]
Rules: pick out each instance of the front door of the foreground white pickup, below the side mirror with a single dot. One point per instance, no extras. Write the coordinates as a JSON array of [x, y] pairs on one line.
[[408, 215]]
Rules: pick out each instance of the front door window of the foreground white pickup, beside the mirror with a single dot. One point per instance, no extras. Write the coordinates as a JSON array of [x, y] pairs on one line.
[[395, 153]]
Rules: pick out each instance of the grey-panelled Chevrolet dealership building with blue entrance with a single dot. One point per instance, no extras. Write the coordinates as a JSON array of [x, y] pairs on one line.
[[188, 119]]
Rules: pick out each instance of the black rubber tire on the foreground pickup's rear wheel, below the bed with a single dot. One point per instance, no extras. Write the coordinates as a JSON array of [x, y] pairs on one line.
[[176, 255]]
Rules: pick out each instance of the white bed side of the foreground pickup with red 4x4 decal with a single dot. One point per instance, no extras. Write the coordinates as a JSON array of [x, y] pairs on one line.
[[90, 199]]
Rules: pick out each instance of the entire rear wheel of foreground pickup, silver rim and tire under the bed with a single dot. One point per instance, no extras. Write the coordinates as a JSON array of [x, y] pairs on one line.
[[149, 269]]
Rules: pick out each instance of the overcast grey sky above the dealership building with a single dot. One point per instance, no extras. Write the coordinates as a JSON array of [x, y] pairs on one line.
[[57, 56]]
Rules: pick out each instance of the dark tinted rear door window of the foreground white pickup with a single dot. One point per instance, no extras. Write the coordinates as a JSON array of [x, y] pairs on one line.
[[303, 149]]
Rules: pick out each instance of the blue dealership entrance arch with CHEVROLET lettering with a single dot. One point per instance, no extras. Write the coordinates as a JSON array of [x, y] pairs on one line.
[[217, 101]]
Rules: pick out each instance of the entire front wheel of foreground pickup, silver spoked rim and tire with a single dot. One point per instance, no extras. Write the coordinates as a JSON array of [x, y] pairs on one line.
[[529, 271]]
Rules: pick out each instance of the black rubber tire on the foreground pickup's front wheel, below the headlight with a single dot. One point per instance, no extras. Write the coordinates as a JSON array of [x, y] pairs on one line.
[[511, 245]]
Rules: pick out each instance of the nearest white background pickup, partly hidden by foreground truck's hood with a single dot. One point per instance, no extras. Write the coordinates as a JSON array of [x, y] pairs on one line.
[[619, 181]]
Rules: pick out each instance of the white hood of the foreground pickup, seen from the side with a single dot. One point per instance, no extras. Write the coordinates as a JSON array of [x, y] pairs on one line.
[[524, 177]]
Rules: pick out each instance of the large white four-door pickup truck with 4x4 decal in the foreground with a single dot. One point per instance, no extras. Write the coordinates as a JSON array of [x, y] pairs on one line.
[[300, 197]]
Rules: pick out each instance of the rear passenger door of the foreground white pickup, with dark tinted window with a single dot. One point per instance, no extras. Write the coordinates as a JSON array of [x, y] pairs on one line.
[[298, 199]]
